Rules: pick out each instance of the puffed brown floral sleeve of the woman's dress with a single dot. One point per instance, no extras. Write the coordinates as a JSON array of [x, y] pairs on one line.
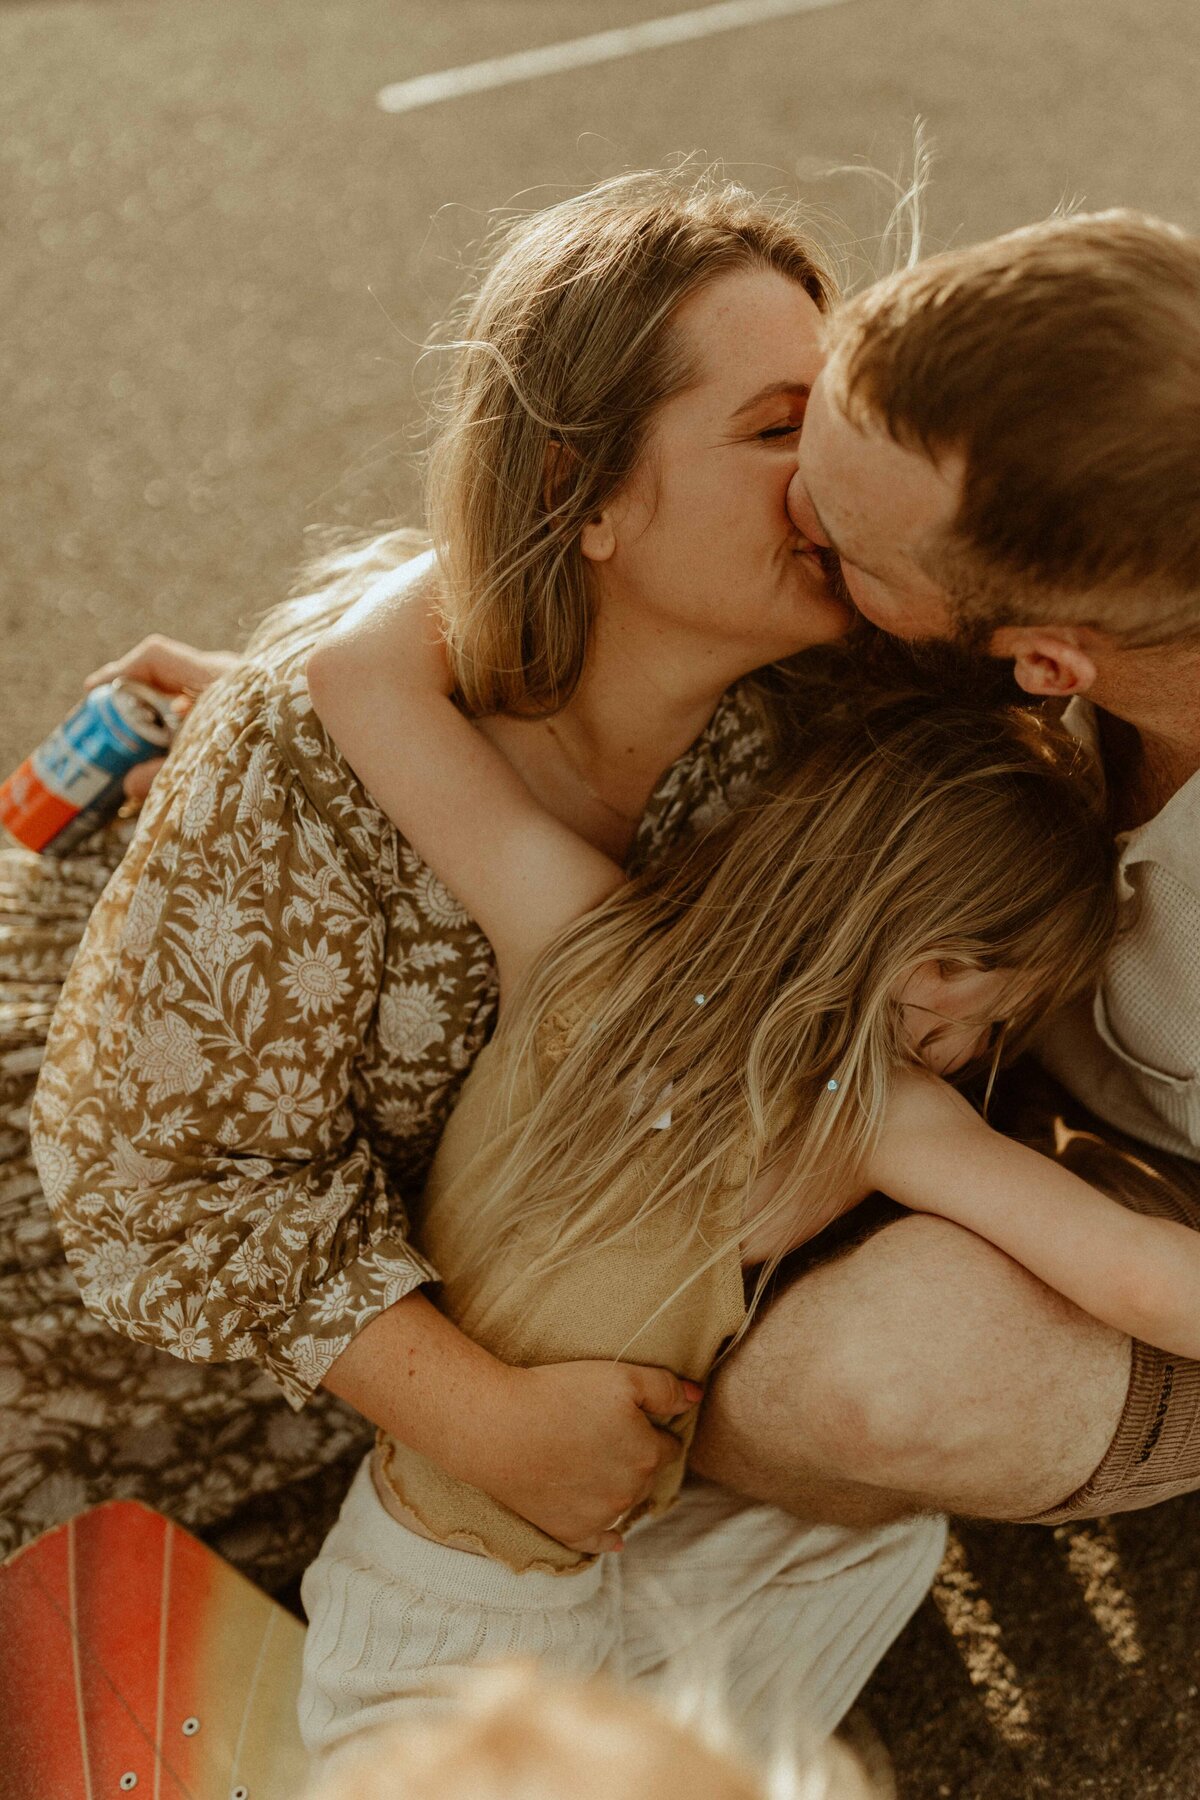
[[195, 1124]]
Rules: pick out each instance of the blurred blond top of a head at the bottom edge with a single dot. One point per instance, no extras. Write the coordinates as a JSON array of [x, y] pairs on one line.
[[519, 1736]]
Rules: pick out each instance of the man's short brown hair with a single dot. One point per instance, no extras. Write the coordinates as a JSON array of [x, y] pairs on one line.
[[1062, 363]]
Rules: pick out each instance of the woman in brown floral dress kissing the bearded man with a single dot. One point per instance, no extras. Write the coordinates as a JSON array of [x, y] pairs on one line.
[[276, 1003]]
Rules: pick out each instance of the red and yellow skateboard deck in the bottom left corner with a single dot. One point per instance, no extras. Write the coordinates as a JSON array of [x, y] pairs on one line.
[[134, 1660]]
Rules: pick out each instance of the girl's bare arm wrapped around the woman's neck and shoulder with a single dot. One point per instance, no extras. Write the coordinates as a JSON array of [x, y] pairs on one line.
[[381, 685]]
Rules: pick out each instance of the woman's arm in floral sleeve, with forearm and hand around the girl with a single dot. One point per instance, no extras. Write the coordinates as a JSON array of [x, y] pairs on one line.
[[199, 1142]]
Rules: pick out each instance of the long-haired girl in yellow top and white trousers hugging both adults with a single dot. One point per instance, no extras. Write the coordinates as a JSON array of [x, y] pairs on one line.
[[694, 1074]]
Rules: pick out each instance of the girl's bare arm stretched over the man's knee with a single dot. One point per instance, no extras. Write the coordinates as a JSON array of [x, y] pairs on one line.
[[1136, 1273]]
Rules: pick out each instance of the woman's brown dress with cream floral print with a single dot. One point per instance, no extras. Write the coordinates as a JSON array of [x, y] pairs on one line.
[[258, 1043]]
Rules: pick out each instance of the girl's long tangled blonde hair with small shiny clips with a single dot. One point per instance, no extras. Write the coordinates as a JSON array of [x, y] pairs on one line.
[[753, 987]]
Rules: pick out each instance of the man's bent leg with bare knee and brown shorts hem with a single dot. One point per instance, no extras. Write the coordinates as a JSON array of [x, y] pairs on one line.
[[927, 1369]]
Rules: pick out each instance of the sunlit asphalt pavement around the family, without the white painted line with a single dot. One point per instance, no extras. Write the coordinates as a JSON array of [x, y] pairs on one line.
[[220, 265]]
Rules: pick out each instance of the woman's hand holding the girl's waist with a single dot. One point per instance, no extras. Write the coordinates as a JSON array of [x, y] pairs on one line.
[[573, 1446]]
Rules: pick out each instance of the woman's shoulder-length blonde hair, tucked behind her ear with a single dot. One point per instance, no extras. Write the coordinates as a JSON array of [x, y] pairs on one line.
[[560, 361]]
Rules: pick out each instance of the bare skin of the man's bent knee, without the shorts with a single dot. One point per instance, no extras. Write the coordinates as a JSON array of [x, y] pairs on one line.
[[924, 1371]]
